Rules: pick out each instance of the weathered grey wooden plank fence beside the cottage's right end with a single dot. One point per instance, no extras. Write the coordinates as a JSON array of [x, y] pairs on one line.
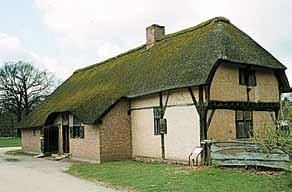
[[244, 153]]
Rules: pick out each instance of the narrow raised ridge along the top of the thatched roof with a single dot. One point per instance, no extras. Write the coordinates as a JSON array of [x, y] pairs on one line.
[[203, 24]]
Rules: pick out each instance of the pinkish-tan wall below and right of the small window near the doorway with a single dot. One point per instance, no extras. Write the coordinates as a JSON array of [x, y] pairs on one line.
[[87, 148]]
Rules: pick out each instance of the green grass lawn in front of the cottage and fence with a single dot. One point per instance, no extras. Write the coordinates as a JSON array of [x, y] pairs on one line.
[[162, 177]]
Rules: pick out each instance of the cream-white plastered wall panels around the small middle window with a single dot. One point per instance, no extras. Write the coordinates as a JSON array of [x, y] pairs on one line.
[[183, 129]]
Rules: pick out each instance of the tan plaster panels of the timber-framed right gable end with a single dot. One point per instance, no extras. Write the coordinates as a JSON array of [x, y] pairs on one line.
[[225, 87]]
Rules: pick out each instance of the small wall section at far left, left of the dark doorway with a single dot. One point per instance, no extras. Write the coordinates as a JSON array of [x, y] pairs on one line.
[[30, 139]]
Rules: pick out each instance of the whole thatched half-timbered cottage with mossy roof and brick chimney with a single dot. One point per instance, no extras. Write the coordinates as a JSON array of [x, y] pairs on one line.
[[159, 100]]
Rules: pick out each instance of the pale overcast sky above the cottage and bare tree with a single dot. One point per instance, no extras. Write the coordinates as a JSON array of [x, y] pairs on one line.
[[64, 35]]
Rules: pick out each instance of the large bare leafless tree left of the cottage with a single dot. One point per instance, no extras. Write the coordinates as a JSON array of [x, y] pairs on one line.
[[22, 87]]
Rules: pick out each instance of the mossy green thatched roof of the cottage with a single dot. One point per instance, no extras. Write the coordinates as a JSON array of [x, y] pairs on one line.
[[182, 59]]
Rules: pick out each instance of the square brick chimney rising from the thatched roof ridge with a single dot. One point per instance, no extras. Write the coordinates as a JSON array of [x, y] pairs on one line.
[[154, 33]]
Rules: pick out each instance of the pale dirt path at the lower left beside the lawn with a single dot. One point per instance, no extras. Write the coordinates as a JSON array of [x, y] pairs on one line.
[[28, 174]]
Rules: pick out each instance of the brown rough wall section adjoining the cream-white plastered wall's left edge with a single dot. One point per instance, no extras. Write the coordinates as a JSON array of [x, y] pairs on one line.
[[115, 133]]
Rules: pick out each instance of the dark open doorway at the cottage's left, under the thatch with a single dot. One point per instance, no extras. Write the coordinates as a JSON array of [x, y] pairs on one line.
[[51, 138]]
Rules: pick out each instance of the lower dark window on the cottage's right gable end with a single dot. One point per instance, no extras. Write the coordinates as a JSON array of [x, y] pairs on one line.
[[244, 124]]
